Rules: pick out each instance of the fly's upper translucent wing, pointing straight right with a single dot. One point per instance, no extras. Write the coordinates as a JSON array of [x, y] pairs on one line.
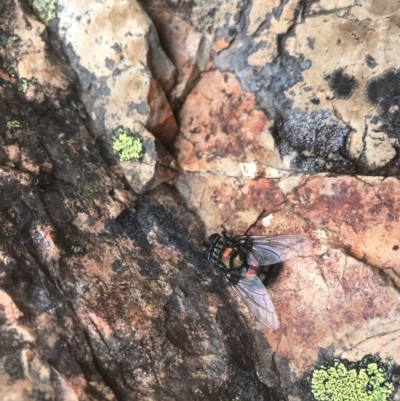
[[270, 249]]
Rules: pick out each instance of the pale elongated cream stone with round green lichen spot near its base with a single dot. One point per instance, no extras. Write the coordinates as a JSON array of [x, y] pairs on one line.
[[122, 72]]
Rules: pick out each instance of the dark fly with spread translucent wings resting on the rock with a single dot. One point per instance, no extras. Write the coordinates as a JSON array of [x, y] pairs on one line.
[[241, 260]]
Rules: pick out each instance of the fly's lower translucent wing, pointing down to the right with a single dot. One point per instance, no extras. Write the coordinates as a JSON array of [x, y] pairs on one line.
[[252, 291]]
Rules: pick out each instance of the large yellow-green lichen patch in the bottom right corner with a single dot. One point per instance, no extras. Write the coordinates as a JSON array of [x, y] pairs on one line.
[[341, 380]]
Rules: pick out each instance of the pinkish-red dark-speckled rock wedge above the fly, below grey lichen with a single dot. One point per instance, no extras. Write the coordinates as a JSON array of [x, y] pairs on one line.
[[221, 130]]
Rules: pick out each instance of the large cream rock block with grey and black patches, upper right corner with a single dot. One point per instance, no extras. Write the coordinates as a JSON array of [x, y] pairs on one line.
[[339, 90]]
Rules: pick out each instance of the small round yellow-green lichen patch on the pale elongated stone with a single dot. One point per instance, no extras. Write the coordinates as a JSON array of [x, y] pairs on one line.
[[126, 145]]
